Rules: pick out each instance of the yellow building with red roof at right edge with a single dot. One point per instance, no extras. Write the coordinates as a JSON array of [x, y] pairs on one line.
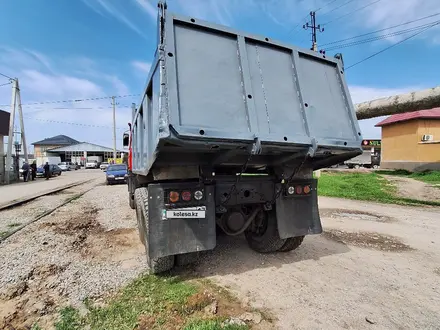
[[411, 141]]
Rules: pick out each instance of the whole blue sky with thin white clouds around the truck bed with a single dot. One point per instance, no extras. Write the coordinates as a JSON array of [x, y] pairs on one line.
[[76, 49]]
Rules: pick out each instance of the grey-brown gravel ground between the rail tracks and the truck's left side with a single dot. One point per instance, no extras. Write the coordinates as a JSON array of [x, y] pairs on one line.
[[87, 248]]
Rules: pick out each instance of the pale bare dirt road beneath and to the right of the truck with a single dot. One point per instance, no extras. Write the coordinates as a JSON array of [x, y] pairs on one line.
[[341, 280]]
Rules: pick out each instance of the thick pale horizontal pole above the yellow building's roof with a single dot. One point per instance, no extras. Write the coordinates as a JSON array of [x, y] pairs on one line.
[[414, 101]]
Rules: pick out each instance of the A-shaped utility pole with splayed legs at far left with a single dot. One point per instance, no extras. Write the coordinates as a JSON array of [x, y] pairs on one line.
[[16, 98]]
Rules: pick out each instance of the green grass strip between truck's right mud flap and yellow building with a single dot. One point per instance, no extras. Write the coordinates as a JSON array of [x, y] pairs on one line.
[[363, 186]]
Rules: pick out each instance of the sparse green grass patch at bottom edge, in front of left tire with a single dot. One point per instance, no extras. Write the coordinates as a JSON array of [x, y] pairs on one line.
[[151, 302]]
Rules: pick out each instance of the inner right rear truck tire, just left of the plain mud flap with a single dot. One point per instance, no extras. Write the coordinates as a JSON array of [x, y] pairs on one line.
[[269, 240]]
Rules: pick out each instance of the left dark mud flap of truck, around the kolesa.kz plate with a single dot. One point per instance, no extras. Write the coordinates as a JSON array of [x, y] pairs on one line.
[[176, 236]]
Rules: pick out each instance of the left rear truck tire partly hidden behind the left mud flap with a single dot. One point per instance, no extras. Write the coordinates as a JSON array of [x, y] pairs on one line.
[[155, 265]]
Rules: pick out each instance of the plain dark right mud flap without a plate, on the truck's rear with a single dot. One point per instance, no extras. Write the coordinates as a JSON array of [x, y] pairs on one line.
[[299, 215]]
